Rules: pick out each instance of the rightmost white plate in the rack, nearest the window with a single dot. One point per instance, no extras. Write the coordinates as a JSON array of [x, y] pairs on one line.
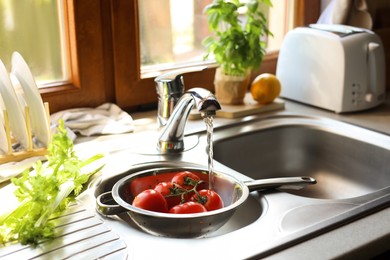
[[39, 120]]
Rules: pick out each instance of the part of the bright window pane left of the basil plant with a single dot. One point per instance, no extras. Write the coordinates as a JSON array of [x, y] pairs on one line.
[[171, 31]]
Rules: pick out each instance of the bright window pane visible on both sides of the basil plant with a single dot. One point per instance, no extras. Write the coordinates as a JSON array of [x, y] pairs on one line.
[[172, 31]]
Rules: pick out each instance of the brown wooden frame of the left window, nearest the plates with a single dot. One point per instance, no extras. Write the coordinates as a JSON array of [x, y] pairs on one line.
[[90, 68]]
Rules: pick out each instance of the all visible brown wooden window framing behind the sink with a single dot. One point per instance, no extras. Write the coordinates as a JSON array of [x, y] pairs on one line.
[[105, 62]]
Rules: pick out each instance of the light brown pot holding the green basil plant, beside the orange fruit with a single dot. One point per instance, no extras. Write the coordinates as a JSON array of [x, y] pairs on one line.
[[230, 90]]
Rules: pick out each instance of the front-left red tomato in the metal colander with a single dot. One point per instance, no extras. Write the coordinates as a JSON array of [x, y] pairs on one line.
[[151, 200]]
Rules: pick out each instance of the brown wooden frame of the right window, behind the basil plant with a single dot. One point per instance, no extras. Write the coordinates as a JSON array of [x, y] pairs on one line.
[[133, 88]]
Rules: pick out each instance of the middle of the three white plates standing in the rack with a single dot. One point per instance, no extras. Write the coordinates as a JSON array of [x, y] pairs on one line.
[[15, 113]]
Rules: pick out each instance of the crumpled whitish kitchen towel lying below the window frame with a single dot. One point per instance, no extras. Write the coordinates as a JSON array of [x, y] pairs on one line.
[[105, 119]]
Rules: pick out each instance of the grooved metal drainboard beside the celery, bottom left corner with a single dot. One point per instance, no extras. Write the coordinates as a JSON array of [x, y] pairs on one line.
[[78, 232]]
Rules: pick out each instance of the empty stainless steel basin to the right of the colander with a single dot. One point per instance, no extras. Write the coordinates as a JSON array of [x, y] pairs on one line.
[[347, 161]]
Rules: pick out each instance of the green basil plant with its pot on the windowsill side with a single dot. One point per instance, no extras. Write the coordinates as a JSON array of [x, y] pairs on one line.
[[236, 44]]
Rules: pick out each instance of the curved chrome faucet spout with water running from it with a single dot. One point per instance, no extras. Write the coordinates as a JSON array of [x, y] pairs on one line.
[[172, 133]]
